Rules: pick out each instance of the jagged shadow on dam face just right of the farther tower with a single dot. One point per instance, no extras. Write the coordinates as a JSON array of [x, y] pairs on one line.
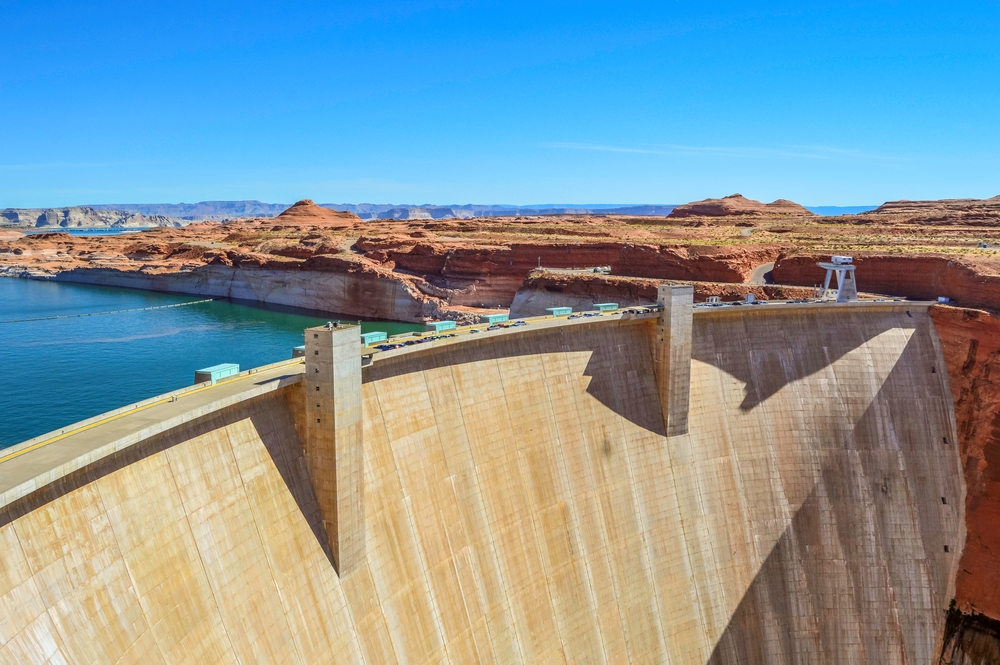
[[765, 365]]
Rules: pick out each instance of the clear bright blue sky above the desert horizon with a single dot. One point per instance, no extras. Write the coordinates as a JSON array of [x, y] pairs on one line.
[[825, 103]]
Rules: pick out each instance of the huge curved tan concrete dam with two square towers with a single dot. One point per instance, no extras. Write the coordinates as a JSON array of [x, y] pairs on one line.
[[676, 484]]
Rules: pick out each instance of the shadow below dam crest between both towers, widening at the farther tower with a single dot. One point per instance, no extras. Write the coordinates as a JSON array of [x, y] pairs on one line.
[[620, 364]]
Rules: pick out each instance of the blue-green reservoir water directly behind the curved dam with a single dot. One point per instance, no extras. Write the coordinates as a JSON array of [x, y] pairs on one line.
[[57, 372]]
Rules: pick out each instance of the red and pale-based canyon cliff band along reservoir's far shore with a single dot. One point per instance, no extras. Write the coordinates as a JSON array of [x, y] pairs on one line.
[[387, 278]]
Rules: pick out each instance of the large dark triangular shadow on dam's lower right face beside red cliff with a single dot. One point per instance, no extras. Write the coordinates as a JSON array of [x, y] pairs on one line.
[[851, 577]]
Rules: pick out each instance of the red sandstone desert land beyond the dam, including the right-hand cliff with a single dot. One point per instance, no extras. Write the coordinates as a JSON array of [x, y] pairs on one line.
[[416, 269]]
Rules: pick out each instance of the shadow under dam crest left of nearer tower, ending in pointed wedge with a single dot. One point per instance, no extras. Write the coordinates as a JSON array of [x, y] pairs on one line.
[[285, 451]]
